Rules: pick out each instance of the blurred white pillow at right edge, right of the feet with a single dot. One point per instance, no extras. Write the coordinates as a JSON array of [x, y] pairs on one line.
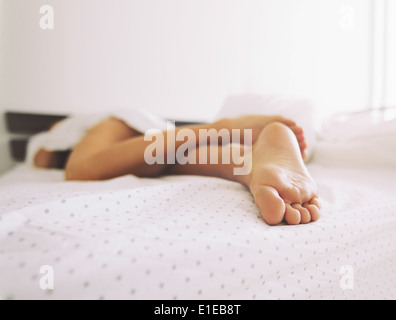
[[357, 141]]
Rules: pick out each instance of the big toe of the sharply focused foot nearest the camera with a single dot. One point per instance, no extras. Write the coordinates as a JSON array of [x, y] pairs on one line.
[[271, 205]]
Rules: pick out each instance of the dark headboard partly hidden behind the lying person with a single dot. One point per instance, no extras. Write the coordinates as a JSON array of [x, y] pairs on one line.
[[21, 126]]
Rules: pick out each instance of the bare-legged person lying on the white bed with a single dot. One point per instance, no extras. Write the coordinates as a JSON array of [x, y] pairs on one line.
[[279, 181]]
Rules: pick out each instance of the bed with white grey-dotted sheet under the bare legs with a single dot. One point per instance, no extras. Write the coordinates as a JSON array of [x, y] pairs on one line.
[[190, 237]]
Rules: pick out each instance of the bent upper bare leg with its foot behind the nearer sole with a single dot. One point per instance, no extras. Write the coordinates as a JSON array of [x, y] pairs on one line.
[[112, 149]]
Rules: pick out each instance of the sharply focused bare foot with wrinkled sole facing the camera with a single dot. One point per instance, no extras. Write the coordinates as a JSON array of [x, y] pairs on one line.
[[279, 181]]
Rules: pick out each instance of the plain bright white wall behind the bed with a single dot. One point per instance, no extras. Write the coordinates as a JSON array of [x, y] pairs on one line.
[[181, 58]]
